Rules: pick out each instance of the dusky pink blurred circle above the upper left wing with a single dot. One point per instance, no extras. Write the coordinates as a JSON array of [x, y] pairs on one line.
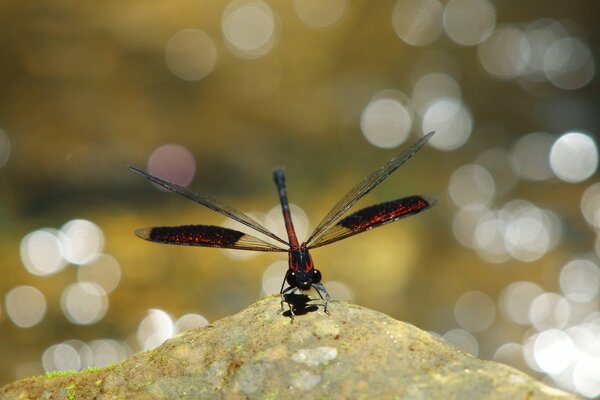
[[173, 163]]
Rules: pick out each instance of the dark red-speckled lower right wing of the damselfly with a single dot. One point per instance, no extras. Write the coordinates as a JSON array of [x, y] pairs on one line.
[[372, 217]]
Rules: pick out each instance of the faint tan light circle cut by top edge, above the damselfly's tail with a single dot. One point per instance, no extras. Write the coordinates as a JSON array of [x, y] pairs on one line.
[[320, 14]]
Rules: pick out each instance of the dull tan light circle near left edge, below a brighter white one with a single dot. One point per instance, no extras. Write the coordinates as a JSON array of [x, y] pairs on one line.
[[25, 306]]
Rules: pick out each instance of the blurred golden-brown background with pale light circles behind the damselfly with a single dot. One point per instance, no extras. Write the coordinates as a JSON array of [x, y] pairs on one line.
[[213, 95]]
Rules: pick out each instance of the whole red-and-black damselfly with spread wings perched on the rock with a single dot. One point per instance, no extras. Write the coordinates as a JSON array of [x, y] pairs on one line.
[[301, 274]]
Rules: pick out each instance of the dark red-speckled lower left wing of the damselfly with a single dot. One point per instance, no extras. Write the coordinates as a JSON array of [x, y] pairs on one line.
[[205, 236]]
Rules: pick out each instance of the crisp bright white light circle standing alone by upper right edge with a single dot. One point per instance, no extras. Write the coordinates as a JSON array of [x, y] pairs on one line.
[[574, 157]]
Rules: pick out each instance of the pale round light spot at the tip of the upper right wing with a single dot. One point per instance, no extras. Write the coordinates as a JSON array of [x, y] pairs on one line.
[[451, 121]]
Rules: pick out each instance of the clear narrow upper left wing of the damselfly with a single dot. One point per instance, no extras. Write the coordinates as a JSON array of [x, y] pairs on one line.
[[211, 203]]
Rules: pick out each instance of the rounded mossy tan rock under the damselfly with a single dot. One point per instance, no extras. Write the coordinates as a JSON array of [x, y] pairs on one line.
[[260, 354]]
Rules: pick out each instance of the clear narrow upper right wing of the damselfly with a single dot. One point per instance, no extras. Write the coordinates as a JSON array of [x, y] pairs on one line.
[[364, 187]]
